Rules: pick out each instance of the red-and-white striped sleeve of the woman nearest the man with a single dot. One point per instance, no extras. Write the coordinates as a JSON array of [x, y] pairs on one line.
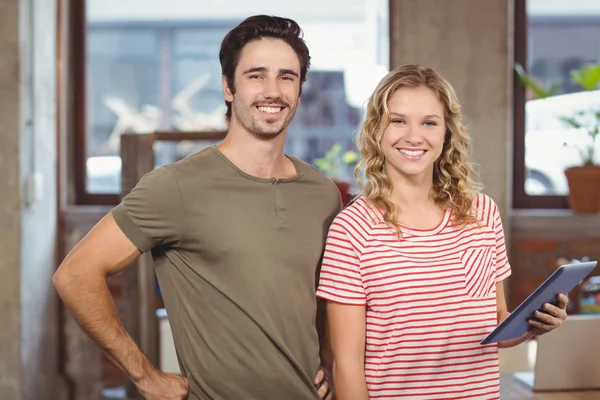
[[340, 280]]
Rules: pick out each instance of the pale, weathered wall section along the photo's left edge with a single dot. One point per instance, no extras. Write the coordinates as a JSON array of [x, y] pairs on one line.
[[28, 302]]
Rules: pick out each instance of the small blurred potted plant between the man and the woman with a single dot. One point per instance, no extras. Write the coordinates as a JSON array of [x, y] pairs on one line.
[[337, 166]]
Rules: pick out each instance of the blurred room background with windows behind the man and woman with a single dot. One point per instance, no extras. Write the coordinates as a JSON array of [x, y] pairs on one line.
[[78, 78]]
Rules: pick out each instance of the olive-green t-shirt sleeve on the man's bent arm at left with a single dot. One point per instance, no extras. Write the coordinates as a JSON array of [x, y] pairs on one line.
[[152, 213]]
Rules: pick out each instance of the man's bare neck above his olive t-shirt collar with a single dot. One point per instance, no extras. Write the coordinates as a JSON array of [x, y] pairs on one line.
[[262, 158]]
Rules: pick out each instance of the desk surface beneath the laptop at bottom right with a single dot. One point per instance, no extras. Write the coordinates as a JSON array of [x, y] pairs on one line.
[[513, 389]]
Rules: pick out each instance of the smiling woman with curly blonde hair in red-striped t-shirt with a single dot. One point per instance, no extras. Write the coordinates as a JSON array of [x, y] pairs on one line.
[[413, 269]]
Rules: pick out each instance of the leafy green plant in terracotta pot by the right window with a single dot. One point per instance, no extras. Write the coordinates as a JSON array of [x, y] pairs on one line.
[[584, 179]]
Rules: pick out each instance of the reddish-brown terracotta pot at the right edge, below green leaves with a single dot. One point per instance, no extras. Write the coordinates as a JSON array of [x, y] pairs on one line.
[[584, 188]]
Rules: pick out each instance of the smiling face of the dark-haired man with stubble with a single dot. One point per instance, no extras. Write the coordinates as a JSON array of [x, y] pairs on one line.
[[267, 87]]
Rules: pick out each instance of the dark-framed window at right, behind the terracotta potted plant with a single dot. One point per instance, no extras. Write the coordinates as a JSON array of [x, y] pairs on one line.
[[553, 38]]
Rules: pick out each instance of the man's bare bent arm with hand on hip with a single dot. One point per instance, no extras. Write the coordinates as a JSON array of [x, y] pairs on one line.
[[81, 283]]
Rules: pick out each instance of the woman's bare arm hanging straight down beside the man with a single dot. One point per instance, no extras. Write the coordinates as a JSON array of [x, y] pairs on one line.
[[347, 331]]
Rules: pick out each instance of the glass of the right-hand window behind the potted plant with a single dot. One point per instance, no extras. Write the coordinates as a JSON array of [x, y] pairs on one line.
[[562, 37]]
